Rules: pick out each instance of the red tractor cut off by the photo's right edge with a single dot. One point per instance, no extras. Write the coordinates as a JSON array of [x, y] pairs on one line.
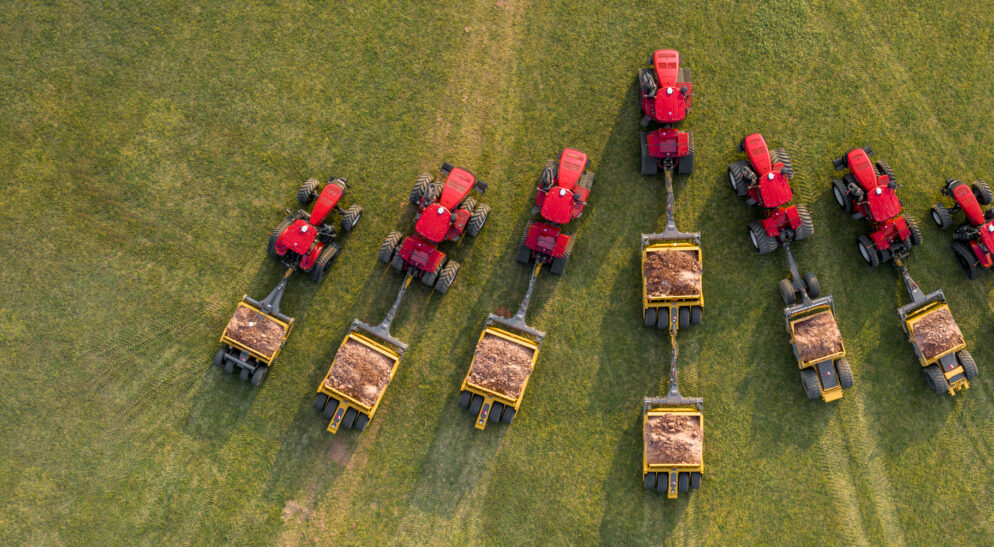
[[973, 241]]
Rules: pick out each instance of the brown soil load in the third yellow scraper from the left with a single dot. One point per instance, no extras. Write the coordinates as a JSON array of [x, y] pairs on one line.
[[501, 365]]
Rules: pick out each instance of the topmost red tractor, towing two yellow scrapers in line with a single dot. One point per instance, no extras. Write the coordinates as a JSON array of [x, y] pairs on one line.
[[665, 91]]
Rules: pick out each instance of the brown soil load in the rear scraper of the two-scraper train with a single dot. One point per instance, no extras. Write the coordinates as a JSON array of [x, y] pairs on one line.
[[672, 439]]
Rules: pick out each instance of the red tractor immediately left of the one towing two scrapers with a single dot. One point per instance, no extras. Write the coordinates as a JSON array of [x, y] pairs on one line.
[[560, 197]]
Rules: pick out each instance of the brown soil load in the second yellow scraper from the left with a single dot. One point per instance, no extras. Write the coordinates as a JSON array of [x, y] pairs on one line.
[[360, 372]]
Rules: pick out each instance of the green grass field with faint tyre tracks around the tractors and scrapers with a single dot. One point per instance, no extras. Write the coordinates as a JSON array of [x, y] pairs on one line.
[[147, 150]]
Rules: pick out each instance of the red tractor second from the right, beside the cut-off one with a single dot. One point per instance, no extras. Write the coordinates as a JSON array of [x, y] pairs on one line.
[[867, 191]]
